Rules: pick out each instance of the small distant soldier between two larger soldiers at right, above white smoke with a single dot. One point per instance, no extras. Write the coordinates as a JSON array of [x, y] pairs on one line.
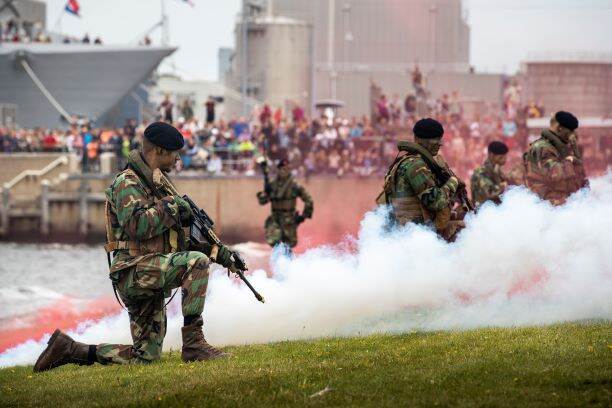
[[488, 181]]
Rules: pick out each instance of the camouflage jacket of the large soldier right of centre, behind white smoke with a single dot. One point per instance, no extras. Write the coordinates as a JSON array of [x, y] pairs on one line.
[[415, 194]]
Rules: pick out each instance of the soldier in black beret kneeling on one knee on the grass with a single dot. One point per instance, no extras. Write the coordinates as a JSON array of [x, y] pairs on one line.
[[147, 231]]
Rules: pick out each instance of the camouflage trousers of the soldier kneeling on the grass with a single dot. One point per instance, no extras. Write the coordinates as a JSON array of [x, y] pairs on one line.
[[143, 289]]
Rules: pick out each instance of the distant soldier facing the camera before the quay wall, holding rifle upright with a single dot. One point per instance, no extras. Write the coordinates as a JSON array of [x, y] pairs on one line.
[[281, 225]]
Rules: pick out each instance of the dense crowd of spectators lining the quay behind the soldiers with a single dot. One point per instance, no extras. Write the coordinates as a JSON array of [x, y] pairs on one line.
[[361, 146]]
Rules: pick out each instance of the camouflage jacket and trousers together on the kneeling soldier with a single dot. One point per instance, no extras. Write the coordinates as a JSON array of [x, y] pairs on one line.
[[143, 281]]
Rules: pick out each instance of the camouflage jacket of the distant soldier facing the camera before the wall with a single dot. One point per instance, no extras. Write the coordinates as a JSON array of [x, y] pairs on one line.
[[283, 197]]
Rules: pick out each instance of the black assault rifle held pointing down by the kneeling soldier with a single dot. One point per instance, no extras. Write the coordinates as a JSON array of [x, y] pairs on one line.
[[201, 231]]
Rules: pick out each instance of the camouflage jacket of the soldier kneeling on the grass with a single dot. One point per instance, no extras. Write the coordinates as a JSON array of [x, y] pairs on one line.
[[139, 222]]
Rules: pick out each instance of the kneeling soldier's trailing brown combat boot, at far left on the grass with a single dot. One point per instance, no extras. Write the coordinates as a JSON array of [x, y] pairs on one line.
[[62, 349]]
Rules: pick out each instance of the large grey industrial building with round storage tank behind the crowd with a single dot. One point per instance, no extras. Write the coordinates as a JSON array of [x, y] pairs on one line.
[[296, 51]]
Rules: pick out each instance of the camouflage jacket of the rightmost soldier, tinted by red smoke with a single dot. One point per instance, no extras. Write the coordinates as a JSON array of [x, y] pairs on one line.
[[547, 173]]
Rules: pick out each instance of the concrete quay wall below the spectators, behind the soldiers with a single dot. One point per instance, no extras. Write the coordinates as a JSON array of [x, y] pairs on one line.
[[231, 202]]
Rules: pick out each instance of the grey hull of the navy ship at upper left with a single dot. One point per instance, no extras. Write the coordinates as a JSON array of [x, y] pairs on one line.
[[86, 80]]
